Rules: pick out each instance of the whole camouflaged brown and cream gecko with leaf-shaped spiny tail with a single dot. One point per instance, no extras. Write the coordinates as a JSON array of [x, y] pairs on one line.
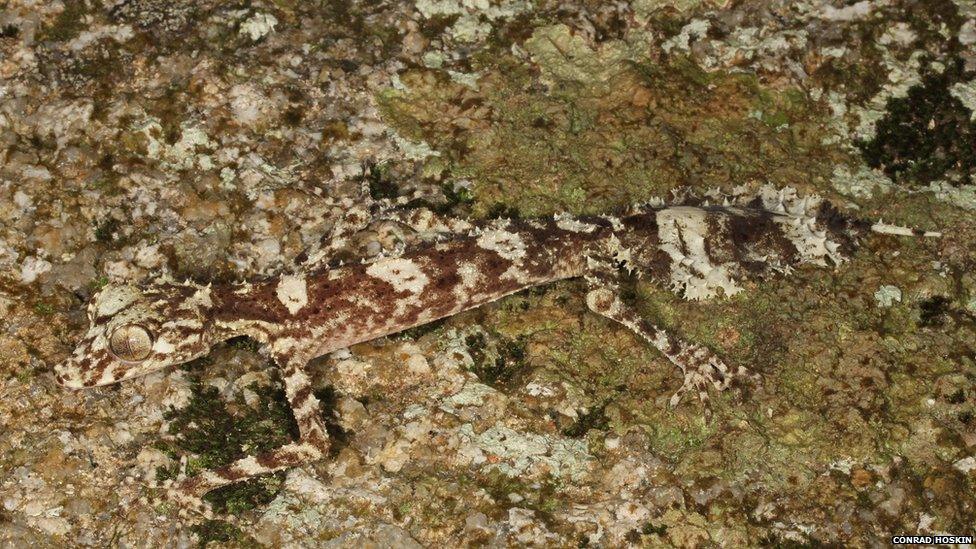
[[699, 248]]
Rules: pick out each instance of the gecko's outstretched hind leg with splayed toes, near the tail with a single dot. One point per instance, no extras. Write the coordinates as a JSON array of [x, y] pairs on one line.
[[699, 365]]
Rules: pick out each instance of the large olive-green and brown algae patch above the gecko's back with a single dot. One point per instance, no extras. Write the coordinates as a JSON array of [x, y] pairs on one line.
[[583, 128]]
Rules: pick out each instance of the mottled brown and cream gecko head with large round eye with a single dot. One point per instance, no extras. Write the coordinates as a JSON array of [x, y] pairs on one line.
[[135, 331]]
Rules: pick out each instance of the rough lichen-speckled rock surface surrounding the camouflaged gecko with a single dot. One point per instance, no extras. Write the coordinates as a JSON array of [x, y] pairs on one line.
[[209, 140]]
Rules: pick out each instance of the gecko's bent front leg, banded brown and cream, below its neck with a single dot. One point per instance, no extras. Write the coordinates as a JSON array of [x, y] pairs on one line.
[[312, 445]]
